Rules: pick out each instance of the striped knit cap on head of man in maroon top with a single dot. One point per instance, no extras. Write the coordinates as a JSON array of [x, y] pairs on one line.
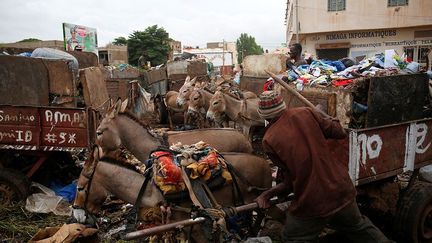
[[270, 105]]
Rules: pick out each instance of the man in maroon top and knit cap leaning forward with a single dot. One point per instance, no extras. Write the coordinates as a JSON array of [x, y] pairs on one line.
[[295, 141]]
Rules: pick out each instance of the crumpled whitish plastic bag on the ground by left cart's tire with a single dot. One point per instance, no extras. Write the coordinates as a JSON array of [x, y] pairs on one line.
[[46, 201]]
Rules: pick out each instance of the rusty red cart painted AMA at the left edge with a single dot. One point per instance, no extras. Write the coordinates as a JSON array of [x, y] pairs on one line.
[[43, 124]]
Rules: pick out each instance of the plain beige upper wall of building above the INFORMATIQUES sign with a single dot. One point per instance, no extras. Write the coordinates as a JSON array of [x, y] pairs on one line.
[[358, 15]]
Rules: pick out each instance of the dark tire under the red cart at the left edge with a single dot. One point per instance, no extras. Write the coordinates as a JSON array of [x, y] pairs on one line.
[[17, 182]]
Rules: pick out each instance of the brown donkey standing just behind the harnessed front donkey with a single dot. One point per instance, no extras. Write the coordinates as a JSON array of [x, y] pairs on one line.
[[122, 128]]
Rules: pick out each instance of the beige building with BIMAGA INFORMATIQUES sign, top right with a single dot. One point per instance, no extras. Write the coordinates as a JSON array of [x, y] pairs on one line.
[[335, 29]]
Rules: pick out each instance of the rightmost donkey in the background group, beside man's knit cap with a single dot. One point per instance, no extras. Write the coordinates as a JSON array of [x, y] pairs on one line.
[[243, 112]]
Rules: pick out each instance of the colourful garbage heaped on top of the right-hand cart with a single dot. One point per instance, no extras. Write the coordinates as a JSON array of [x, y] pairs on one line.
[[342, 73]]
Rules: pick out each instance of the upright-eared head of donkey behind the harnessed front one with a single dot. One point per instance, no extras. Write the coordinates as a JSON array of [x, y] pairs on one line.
[[108, 135]]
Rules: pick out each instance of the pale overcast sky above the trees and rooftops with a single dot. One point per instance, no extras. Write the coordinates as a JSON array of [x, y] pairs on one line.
[[193, 22]]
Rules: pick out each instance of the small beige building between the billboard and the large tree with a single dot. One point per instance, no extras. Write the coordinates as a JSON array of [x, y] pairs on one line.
[[113, 54]]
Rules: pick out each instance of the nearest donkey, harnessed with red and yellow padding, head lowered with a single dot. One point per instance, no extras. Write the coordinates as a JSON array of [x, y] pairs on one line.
[[100, 178]]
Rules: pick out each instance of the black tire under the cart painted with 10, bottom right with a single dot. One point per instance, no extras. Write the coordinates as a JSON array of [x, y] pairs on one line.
[[412, 205]]
